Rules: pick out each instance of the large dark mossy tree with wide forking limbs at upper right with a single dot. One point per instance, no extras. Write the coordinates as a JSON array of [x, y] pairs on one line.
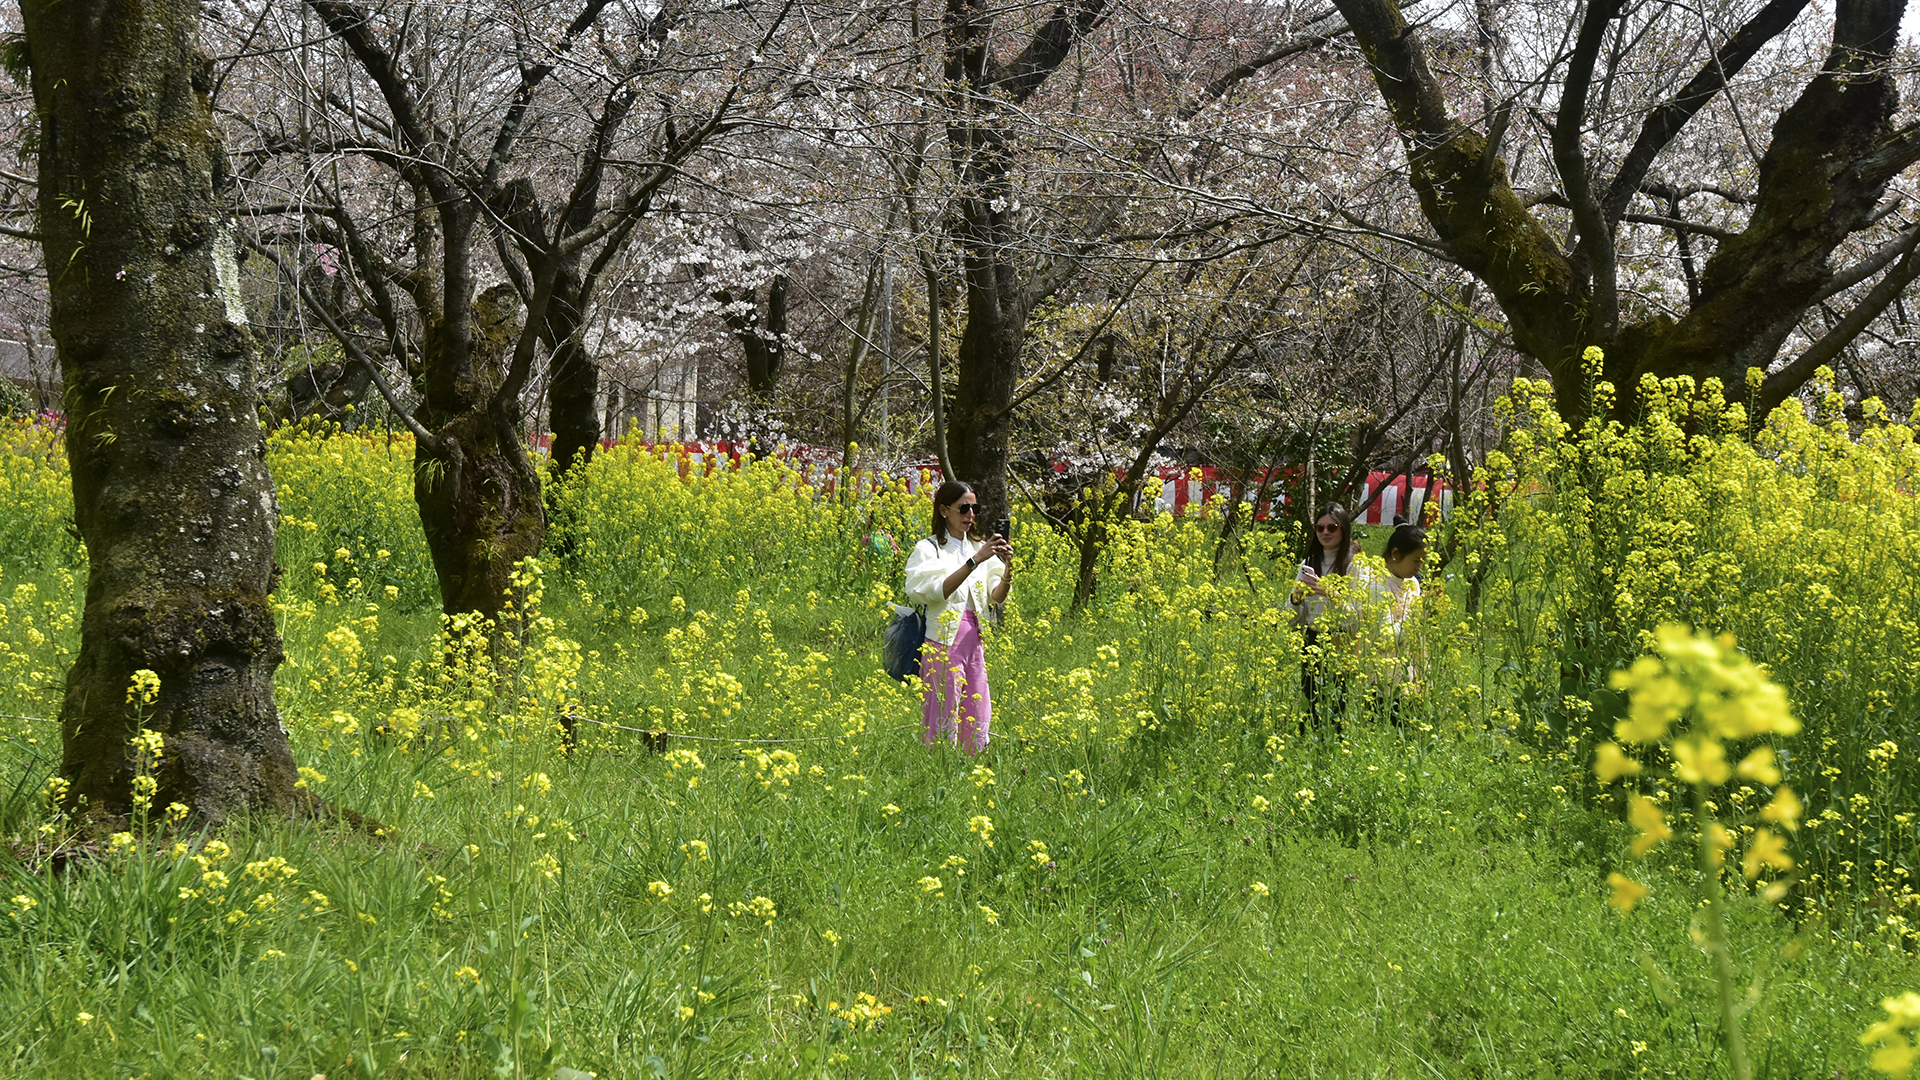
[[1706, 180]]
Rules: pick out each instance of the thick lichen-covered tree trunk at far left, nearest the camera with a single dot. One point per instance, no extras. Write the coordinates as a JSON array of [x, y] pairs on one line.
[[170, 481]]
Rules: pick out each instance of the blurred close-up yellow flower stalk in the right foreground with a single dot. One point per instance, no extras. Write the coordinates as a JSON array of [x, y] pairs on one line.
[[1706, 712]]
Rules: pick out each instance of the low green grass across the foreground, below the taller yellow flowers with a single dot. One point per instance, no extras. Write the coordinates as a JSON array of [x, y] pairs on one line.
[[1437, 910]]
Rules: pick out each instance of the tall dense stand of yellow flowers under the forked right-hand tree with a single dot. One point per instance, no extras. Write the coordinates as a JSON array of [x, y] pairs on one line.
[[1800, 539]]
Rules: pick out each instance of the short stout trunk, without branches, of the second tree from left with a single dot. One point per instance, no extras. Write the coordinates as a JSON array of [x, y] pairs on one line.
[[477, 487]]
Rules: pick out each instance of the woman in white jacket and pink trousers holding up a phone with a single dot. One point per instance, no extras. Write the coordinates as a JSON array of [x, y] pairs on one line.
[[957, 577]]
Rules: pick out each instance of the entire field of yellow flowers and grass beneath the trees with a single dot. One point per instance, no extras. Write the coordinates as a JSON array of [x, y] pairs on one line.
[[1153, 870]]
